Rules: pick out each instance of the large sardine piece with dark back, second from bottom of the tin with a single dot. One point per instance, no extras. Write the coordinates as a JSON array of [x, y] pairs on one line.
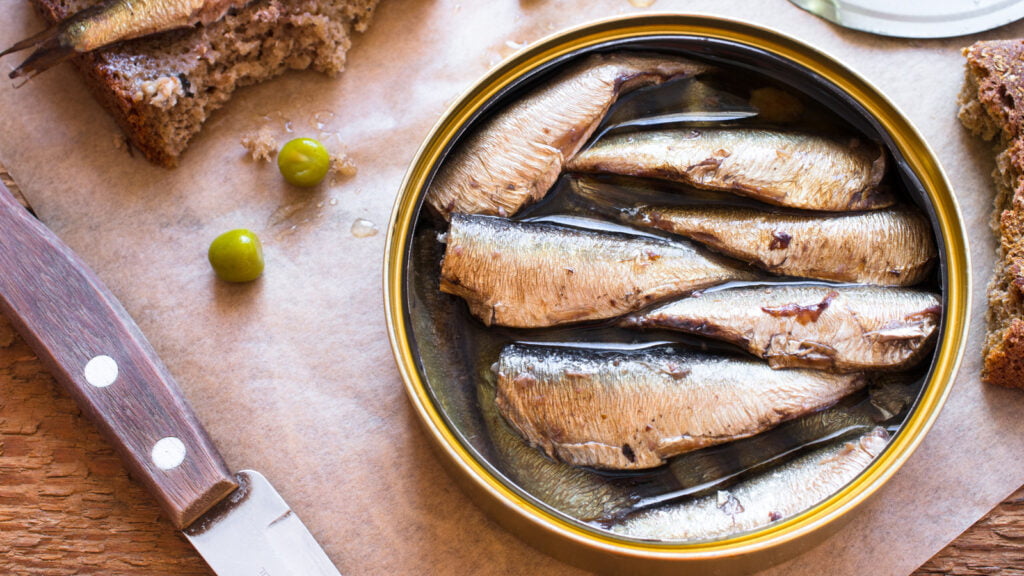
[[622, 410]]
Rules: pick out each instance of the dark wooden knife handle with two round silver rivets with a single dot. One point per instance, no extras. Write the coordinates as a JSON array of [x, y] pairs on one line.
[[96, 351]]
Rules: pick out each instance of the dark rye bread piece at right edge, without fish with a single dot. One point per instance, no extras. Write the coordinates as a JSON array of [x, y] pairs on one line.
[[993, 108]]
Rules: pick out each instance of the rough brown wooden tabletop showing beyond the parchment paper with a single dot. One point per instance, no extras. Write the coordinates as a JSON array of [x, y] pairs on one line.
[[68, 506]]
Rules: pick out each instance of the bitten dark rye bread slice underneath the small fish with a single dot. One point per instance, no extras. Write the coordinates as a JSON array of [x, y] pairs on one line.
[[162, 89]]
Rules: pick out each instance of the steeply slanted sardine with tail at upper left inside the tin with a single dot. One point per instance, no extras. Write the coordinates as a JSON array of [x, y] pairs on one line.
[[515, 158]]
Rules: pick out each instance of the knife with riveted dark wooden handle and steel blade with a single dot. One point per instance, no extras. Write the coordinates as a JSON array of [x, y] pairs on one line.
[[238, 523]]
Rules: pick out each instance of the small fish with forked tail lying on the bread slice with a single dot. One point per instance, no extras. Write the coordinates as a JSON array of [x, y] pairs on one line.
[[114, 21]]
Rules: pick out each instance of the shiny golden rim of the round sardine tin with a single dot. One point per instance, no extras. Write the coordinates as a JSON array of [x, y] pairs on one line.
[[921, 160]]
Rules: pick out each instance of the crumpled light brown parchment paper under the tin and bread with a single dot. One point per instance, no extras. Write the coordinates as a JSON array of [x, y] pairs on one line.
[[293, 375]]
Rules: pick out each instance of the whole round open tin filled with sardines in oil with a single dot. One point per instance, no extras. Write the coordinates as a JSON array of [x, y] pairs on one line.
[[675, 292]]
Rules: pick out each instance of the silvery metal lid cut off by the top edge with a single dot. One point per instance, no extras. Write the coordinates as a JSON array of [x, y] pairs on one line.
[[935, 19]]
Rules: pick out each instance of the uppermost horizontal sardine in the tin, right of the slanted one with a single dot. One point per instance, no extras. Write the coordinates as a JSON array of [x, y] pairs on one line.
[[792, 170]]
